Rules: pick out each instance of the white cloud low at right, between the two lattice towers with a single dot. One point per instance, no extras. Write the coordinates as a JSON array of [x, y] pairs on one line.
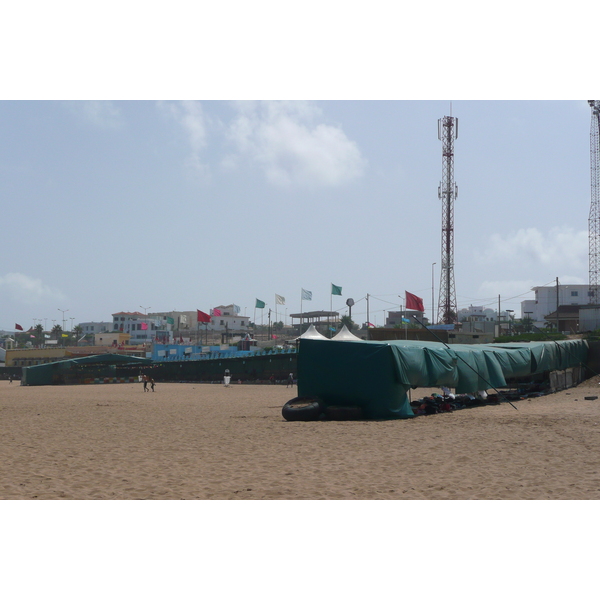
[[562, 248]]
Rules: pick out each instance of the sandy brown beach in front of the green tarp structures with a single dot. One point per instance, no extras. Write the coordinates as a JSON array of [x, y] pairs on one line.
[[202, 441]]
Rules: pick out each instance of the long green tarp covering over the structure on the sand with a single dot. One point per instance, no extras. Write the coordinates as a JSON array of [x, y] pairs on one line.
[[377, 375]]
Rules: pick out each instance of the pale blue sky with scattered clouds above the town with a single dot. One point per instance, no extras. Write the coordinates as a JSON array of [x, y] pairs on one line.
[[113, 205]]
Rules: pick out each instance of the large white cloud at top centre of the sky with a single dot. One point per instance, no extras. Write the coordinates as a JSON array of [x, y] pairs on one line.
[[284, 139]]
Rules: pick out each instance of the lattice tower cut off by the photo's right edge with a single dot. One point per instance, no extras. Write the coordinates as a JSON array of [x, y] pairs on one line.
[[594, 220]]
